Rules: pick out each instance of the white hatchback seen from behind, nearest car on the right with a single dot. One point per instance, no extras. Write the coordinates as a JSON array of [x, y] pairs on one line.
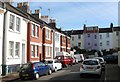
[[91, 66]]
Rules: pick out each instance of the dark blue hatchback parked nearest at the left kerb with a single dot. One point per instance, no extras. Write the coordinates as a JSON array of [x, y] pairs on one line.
[[34, 70]]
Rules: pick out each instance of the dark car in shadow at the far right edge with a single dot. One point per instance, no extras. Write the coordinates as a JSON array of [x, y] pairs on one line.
[[111, 58]]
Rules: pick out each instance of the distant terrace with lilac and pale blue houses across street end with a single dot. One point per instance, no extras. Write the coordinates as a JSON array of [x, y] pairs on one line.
[[94, 38]]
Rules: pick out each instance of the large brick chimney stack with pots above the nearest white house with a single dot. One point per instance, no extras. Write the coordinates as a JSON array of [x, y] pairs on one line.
[[23, 6]]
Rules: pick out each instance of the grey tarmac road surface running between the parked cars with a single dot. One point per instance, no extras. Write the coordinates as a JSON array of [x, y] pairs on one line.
[[69, 73]]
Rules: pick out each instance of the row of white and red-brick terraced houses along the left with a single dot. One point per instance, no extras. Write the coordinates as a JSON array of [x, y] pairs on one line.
[[27, 37]]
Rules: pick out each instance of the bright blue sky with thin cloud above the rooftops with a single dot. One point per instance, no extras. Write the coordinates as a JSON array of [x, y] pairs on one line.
[[71, 15]]
